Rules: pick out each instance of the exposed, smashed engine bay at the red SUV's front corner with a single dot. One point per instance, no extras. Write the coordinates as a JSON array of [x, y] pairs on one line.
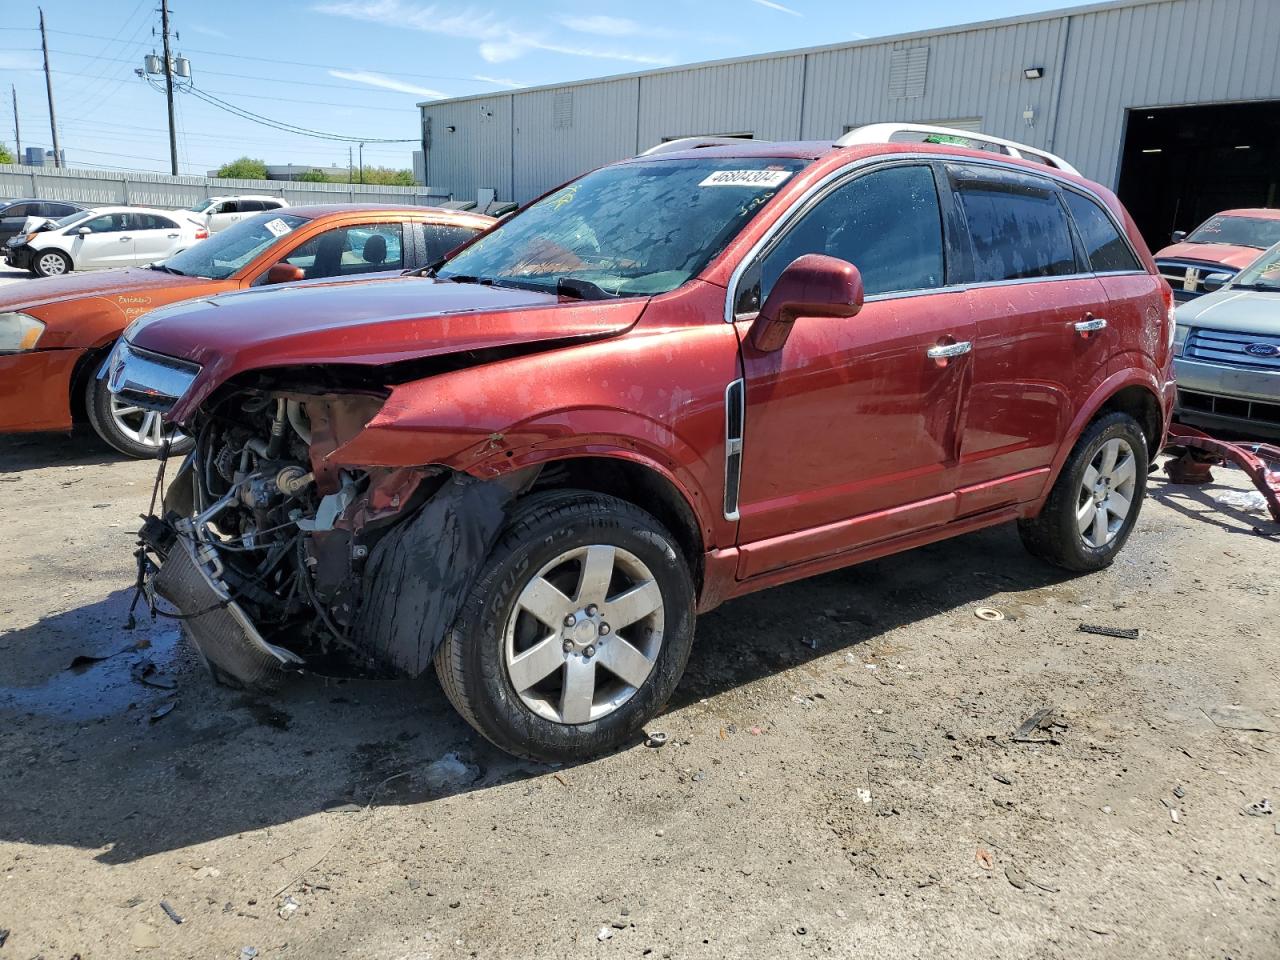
[[277, 559]]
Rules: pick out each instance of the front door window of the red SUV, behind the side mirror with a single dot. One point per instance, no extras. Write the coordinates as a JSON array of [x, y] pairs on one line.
[[886, 223]]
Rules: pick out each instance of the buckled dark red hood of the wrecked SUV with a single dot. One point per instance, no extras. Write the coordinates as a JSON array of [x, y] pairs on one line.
[[371, 323]]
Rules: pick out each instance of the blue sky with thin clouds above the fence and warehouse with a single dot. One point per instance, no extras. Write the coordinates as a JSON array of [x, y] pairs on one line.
[[359, 67]]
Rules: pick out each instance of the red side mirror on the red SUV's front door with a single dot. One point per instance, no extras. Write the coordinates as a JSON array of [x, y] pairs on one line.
[[812, 286]]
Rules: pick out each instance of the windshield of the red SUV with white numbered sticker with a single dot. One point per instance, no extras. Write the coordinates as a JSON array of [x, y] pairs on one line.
[[632, 230]]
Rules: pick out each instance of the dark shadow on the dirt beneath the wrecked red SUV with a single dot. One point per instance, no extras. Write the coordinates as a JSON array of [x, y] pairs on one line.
[[94, 761]]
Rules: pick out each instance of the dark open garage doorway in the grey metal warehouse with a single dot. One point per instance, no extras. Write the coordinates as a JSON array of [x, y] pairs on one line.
[[1182, 164]]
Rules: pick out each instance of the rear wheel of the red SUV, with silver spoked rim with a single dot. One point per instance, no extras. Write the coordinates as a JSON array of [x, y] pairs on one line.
[[1096, 501]]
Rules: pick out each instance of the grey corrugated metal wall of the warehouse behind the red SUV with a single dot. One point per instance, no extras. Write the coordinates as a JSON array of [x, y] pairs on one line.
[[1099, 62]]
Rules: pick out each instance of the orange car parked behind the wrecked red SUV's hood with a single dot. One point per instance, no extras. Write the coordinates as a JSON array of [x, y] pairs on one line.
[[56, 333]]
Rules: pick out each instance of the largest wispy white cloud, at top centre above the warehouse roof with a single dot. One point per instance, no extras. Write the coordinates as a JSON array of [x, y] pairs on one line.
[[499, 42]]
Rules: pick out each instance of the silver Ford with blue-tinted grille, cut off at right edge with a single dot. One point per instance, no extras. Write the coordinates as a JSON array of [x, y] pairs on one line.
[[1228, 351]]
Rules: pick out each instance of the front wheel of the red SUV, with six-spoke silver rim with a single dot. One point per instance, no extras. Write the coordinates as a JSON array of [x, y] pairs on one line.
[[577, 630]]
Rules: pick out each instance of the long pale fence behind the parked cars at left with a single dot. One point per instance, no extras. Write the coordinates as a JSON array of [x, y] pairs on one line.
[[103, 189]]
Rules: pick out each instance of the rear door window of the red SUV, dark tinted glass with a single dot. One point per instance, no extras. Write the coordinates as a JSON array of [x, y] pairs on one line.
[[1017, 225]]
